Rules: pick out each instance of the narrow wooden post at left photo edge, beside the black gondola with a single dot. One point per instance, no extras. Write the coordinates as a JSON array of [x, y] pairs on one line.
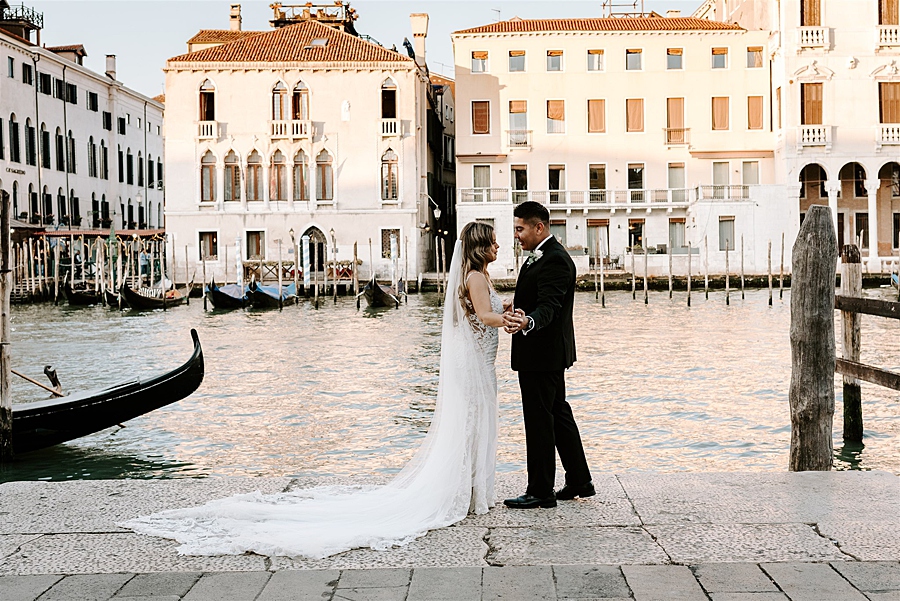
[[6, 448]]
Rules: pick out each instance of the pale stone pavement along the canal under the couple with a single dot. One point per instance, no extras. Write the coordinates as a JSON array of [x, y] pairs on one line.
[[727, 537]]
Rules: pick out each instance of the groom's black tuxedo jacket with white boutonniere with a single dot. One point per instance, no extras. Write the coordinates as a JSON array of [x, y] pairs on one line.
[[546, 292]]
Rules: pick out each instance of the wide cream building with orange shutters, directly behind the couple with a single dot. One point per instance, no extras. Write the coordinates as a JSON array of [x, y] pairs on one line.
[[651, 132]]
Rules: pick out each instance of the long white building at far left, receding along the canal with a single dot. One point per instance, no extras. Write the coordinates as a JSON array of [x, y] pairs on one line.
[[78, 149]]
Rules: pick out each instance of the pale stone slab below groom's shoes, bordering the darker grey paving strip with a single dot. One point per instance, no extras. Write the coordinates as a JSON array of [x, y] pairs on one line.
[[593, 545]]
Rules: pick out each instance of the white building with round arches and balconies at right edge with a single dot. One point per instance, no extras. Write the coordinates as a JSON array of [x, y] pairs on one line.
[[836, 77]]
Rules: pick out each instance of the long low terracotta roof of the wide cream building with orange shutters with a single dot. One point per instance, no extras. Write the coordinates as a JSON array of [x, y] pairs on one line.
[[604, 24]]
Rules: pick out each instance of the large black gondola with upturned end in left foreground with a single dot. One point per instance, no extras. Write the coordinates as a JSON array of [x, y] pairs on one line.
[[45, 423]]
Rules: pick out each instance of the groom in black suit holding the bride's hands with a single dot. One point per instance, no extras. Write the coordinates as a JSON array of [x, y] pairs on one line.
[[543, 347]]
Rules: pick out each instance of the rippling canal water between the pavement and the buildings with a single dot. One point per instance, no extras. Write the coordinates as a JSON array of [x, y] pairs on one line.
[[337, 391]]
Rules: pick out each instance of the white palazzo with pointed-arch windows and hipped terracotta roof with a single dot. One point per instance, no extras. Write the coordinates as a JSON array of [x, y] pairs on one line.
[[308, 129]]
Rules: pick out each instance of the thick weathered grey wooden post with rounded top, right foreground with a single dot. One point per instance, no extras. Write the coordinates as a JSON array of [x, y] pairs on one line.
[[812, 342]]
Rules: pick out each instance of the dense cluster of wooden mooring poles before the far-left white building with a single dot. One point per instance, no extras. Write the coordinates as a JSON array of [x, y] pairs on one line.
[[38, 268]]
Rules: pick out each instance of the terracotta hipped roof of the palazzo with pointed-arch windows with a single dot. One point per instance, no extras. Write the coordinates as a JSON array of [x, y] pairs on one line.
[[294, 44]]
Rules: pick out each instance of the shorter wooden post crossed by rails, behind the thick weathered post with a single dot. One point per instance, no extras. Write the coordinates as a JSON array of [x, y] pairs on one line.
[[851, 285]]
